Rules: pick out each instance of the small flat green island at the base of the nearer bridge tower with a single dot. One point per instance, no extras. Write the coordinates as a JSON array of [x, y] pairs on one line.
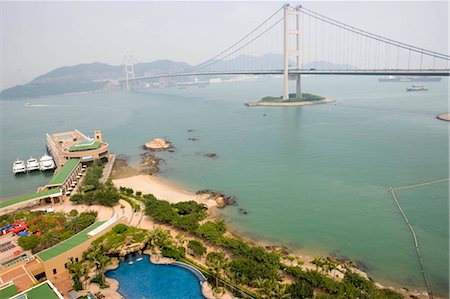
[[306, 99]]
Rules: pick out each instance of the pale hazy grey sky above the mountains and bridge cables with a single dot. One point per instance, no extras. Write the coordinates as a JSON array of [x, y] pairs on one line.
[[40, 36]]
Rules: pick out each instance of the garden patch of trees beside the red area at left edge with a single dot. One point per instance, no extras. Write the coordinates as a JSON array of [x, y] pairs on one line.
[[48, 229]]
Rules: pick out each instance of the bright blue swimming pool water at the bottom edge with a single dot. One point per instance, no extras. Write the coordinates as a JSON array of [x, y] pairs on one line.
[[143, 279]]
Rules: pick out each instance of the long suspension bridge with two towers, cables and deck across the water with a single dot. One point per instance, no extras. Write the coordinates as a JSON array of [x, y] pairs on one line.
[[296, 41]]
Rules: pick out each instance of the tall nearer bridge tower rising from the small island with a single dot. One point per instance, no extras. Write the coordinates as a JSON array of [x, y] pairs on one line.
[[288, 52]]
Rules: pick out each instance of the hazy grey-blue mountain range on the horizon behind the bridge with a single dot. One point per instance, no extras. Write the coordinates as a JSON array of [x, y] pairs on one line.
[[101, 76]]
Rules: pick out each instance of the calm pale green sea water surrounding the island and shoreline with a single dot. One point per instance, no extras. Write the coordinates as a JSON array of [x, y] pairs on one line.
[[312, 178]]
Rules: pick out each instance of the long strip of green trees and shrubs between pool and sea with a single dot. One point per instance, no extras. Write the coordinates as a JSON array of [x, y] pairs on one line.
[[244, 268]]
